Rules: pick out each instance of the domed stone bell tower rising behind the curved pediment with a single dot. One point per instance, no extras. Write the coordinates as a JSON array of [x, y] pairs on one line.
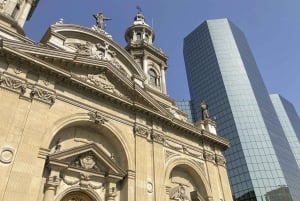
[[140, 37]]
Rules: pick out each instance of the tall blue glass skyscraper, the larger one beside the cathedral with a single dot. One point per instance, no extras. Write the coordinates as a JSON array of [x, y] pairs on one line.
[[222, 71]]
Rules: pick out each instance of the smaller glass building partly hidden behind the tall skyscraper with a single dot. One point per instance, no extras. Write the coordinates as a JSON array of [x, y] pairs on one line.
[[290, 122]]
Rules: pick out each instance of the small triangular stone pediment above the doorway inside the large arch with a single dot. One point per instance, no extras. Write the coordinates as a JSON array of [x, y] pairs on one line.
[[88, 158]]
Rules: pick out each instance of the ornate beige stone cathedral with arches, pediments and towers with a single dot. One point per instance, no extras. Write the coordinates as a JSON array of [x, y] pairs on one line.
[[83, 119]]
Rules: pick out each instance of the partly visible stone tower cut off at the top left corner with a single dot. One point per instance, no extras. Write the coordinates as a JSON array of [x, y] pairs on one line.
[[14, 13]]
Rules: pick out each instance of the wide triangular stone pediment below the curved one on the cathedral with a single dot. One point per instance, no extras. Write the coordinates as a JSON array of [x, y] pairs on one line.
[[99, 76]]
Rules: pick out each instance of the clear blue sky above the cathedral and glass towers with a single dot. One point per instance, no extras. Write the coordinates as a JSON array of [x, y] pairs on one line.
[[272, 28]]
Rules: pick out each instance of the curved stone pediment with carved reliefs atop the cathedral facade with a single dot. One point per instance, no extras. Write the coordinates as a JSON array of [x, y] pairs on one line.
[[91, 43]]
